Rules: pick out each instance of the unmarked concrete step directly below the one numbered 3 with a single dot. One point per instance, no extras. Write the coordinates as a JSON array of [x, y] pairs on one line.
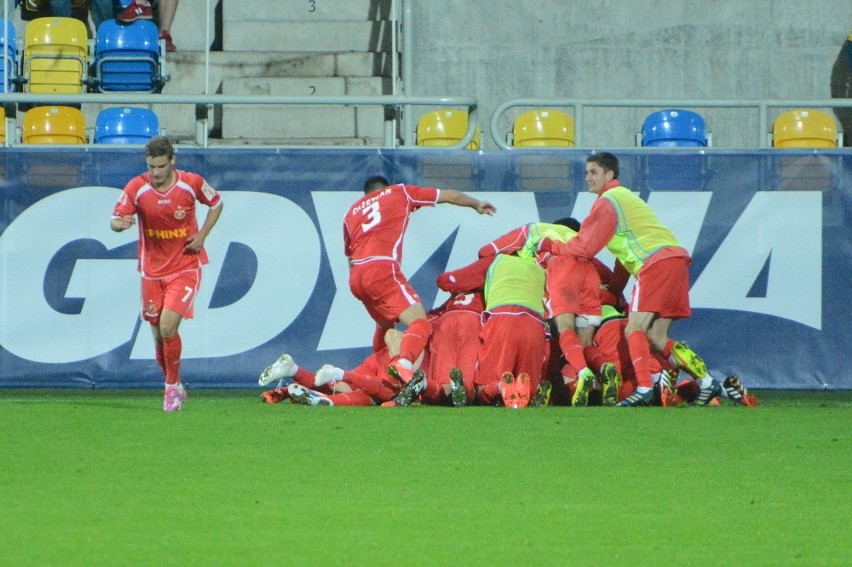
[[321, 37]]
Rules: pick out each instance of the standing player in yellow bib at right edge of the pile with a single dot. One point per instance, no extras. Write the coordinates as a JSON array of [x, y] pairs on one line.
[[621, 221]]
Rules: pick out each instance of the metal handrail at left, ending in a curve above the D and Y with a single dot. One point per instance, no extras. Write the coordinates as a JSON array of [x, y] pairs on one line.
[[202, 102]]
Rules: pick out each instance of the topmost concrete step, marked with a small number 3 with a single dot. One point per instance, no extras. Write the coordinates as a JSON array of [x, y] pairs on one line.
[[306, 10]]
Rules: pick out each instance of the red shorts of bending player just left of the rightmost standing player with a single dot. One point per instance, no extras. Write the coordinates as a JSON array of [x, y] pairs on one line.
[[573, 286]]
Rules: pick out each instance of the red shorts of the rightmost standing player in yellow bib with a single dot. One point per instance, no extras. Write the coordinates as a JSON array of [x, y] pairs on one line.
[[663, 288]]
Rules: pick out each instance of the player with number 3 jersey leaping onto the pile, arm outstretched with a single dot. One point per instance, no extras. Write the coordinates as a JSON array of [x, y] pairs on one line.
[[373, 231]]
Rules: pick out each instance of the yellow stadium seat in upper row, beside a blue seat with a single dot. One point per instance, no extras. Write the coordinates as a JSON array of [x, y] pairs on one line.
[[56, 54]]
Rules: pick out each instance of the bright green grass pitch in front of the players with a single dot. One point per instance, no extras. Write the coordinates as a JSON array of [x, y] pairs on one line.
[[106, 478]]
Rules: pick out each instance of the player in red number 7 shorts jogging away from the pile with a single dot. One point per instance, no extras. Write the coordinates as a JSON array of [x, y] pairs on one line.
[[170, 251]]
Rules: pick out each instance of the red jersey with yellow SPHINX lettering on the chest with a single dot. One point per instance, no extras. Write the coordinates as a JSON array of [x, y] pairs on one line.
[[166, 219]]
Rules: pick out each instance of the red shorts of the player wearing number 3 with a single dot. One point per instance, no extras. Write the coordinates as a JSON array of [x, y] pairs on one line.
[[383, 289]]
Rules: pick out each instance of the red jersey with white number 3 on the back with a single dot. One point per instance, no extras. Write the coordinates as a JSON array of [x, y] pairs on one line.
[[374, 226]]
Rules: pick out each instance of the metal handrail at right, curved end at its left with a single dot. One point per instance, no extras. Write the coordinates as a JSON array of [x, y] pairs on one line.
[[579, 105]]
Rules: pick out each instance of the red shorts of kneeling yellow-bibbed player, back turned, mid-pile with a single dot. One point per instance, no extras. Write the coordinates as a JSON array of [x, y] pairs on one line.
[[513, 340]]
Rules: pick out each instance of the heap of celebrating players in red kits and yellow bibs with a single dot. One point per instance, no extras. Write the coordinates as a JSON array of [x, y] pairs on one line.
[[535, 320]]
